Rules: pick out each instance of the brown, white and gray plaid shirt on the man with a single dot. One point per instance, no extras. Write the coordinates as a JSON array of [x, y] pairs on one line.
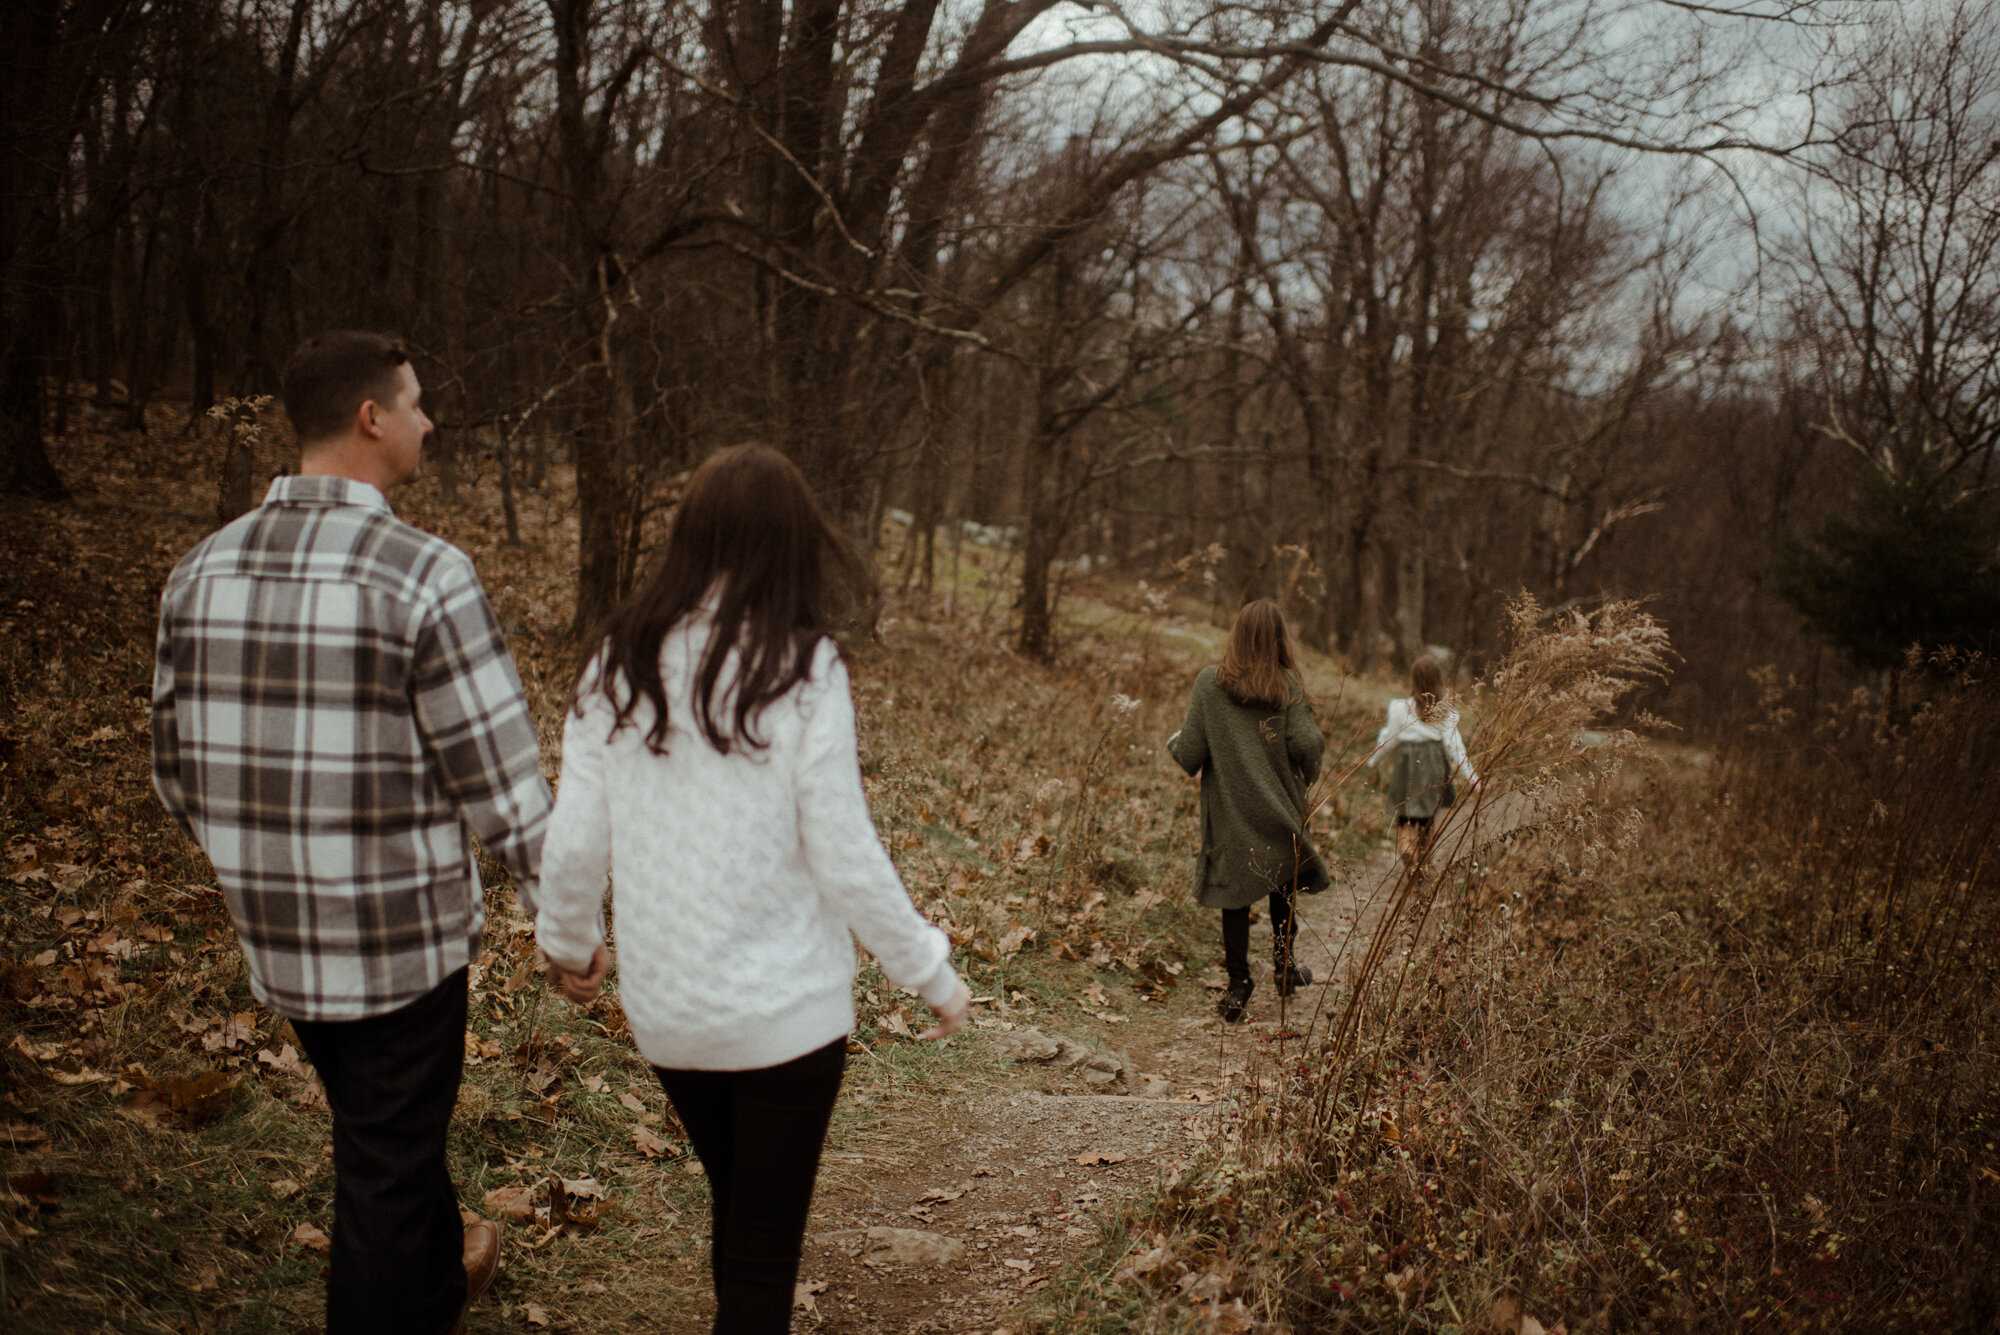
[[333, 714]]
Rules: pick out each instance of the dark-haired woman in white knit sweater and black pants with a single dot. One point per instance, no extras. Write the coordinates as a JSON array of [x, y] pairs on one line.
[[709, 770]]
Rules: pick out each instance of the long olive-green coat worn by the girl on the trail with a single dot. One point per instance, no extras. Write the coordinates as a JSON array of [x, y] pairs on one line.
[[1255, 764]]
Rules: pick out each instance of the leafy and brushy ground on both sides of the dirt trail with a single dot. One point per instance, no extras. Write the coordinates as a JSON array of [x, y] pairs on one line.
[[1685, 1048]]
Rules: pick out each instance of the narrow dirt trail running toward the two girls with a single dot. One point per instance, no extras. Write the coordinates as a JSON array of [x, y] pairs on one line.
[[1007, 1194]]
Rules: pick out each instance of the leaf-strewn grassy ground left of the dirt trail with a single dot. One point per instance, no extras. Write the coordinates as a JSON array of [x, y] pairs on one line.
[[163, 1138]]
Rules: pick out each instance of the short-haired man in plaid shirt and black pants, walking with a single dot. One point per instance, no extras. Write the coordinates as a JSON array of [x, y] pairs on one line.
[[335, 718]]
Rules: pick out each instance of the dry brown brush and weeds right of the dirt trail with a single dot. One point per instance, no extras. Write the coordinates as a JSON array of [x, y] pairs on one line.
[[1693, 1052]]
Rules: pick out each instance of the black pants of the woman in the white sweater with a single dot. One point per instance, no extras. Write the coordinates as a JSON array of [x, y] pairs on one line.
[[759, 1136]]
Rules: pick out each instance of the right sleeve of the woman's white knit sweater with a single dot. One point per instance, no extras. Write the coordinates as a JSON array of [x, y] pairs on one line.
[[847, 858]]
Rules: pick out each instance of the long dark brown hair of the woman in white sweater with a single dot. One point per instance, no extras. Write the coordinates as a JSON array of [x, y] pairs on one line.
[[749, 535]]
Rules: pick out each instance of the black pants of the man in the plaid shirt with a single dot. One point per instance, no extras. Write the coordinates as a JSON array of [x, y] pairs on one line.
[[399, 1246]]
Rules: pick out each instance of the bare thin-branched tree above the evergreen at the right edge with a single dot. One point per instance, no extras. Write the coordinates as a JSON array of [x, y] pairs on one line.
[[1899, 251]]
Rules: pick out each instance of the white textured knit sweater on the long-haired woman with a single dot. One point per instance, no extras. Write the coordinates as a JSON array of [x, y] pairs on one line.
[[735, 878]]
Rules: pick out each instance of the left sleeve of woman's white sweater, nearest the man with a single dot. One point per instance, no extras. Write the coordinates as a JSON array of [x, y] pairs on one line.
[[577, 854]]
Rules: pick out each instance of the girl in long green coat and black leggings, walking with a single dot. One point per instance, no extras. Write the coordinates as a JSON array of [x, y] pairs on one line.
[[1255, 746]]
